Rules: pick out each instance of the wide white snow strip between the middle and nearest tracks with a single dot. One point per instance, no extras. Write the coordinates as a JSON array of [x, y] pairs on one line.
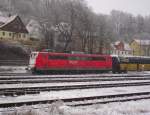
[[58, 95]]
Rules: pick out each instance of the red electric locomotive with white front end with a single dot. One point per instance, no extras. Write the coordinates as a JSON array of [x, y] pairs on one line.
[[60, 62]]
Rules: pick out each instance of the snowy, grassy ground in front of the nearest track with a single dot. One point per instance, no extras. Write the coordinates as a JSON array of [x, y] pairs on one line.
[[141, 107]]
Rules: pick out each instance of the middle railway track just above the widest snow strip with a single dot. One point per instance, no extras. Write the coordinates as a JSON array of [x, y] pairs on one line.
[[16, 91]]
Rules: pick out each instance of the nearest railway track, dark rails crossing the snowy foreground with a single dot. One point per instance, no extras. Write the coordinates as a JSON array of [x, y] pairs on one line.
[[84, 101]]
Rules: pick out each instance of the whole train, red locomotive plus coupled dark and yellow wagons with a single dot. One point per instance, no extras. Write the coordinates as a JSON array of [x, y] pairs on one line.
[[45, 61]]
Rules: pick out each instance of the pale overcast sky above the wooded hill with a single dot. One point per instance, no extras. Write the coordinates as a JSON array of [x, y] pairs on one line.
[[131, 6]]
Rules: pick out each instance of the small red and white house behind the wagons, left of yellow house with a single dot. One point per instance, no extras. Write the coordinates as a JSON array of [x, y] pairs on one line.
[[121, 48]]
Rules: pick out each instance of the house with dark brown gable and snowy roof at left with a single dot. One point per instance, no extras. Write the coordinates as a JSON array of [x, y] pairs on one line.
[[12, 29]]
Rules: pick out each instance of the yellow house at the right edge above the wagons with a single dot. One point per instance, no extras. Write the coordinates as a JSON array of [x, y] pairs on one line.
[[140, 47]]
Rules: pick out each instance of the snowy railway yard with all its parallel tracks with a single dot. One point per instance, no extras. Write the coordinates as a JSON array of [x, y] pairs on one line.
[[19, 90]]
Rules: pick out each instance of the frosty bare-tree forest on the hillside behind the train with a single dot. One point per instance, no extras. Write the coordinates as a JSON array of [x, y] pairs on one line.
[[75, 18]]
